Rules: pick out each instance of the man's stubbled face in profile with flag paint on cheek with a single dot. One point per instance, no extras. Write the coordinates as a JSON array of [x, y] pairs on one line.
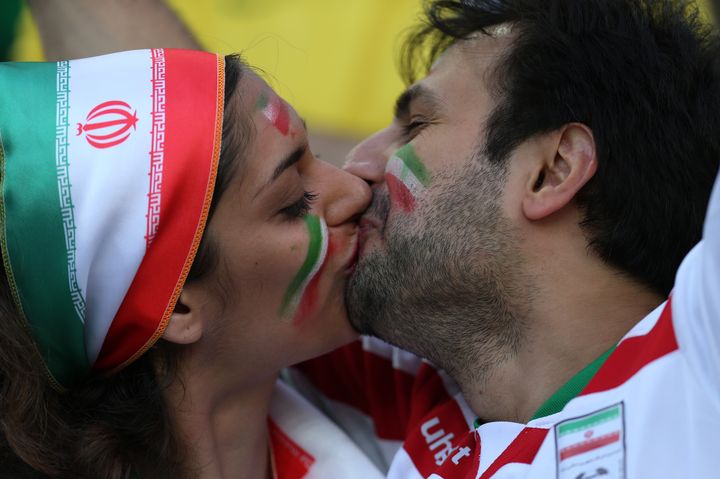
[[438, 268]]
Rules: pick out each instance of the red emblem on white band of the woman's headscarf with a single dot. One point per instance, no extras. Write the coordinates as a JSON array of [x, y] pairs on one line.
[[108, 124]]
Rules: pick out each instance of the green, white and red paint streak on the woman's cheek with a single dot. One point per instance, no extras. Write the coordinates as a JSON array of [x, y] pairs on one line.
[[301, 297]]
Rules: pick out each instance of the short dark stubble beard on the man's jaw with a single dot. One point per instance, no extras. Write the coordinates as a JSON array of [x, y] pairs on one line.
[[447, 285]]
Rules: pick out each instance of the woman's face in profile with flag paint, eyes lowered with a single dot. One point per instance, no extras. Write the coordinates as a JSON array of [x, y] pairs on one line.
[[285, 234]]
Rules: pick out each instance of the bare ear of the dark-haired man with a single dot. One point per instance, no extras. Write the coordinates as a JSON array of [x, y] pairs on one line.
[[570, 162]]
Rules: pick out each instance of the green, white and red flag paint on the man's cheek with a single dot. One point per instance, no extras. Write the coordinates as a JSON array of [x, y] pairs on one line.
[[406, 177]]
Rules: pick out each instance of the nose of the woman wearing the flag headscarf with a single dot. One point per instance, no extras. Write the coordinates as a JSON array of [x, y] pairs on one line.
[[347, 195]]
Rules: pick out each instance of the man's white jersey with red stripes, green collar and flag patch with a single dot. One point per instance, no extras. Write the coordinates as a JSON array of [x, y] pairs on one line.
[[649, 408]]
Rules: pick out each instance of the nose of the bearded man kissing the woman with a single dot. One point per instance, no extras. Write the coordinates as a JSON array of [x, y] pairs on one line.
[[368, 159]]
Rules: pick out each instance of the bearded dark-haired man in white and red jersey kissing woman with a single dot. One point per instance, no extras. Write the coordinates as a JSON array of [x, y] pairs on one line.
[[534, 198]]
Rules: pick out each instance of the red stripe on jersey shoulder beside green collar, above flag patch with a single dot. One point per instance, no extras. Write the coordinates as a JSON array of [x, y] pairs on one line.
[[633, 354]]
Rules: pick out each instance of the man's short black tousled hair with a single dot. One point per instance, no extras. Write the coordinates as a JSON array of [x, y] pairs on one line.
[[644, 75]]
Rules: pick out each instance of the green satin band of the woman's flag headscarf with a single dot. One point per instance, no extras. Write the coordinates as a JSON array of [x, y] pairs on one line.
[[32, 227]]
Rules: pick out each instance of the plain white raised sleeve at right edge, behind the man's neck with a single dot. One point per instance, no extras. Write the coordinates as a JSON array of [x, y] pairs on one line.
[[696, 301]]
